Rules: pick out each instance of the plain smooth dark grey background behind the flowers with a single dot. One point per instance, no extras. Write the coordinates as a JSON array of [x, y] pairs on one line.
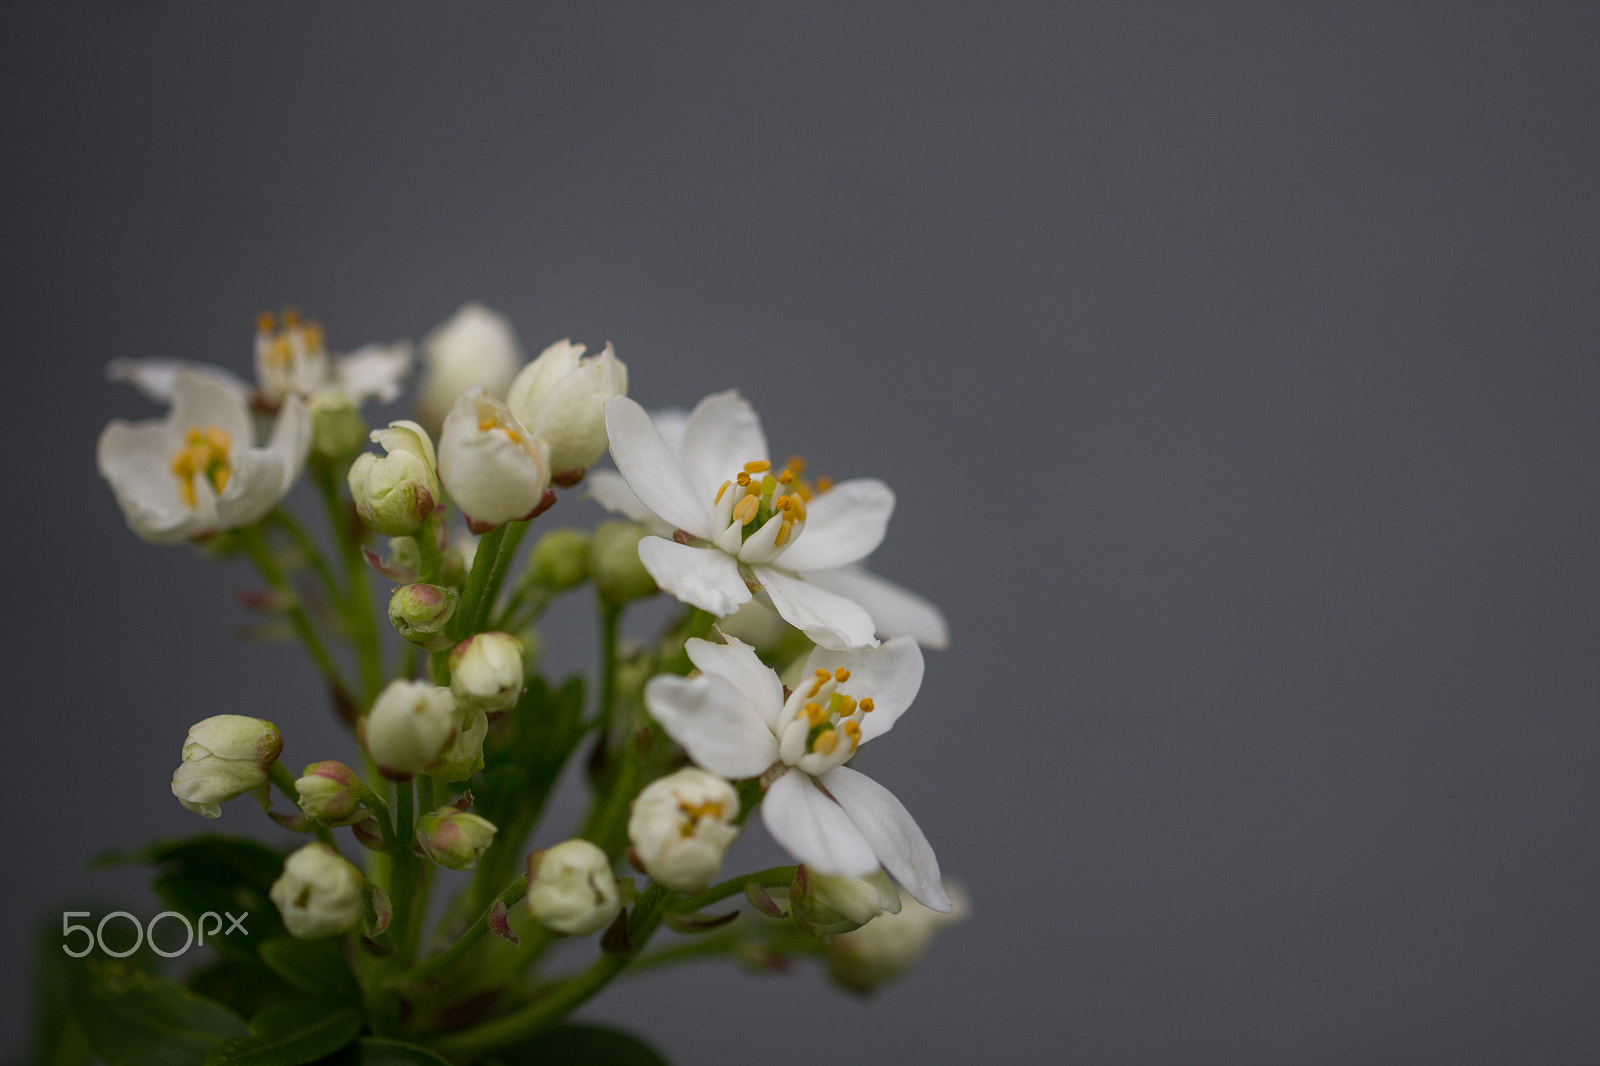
[[1234, 366]]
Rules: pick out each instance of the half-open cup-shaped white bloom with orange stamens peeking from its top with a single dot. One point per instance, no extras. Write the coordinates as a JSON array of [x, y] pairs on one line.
[[492, 467]]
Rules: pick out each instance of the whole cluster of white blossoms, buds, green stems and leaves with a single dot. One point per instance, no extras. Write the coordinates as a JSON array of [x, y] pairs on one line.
[[362, 944]]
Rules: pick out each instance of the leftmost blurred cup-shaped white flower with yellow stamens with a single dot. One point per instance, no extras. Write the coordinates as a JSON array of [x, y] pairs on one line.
[[198, 471]]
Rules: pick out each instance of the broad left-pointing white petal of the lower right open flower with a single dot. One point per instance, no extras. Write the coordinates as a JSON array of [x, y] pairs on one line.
[[714, 723]]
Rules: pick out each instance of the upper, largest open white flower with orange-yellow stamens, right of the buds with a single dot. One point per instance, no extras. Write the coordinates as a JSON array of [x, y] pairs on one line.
[[710, 476]]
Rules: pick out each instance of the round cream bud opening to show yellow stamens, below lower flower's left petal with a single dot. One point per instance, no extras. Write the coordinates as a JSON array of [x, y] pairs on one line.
[[681, 827]]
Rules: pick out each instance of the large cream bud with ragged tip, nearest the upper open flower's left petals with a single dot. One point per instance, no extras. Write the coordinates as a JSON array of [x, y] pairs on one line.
[[562, 396]]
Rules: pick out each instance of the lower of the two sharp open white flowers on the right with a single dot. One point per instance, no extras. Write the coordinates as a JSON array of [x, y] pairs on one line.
[[734, 721]]
